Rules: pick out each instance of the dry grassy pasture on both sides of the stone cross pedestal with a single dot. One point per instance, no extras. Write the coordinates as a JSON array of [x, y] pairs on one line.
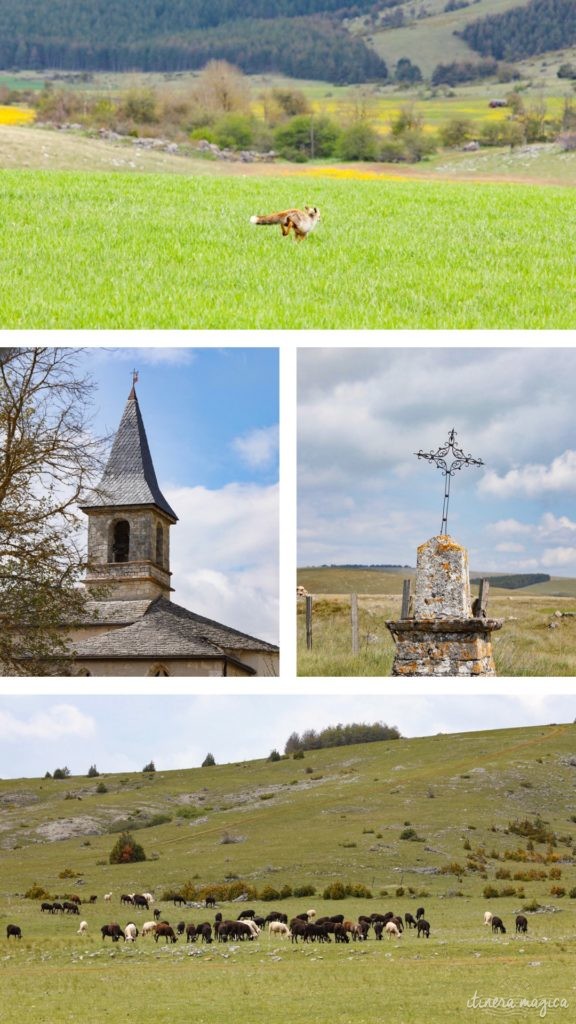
[[525, 646]]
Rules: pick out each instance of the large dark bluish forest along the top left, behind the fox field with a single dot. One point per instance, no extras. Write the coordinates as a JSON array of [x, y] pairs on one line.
[[299, 38]]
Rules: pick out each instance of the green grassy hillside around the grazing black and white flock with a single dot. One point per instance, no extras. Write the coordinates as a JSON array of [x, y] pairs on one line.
[[338, 815]]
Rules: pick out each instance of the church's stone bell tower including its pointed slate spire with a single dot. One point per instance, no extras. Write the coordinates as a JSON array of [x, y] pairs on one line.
[[130, 520]]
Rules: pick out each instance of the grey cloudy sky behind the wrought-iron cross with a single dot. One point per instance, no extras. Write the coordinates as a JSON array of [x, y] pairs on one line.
[[365, 498]]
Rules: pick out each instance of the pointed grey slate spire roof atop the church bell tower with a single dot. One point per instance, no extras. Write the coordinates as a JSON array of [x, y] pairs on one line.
[[130, 478]]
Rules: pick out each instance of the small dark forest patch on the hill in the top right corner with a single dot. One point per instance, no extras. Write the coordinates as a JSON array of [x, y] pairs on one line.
[[521, 32]]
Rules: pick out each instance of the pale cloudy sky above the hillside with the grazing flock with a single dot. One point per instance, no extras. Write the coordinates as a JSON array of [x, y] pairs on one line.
[[124, 734]]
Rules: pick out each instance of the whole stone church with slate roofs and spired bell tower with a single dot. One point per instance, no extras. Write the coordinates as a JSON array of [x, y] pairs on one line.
[[133, 628]]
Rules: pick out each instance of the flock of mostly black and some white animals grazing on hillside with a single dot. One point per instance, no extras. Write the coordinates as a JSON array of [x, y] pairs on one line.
[[305, 927]]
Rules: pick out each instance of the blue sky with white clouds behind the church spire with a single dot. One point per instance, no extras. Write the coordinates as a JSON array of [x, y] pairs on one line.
[[212, 422]]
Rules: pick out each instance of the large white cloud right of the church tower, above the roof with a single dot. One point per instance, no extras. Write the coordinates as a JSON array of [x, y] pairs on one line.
[[225, 556]]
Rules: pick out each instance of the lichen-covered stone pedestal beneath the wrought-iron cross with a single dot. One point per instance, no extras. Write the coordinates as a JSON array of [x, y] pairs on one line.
[[441, 636]]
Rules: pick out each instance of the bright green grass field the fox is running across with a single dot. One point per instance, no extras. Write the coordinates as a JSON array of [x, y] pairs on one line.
[[119, 251]]
